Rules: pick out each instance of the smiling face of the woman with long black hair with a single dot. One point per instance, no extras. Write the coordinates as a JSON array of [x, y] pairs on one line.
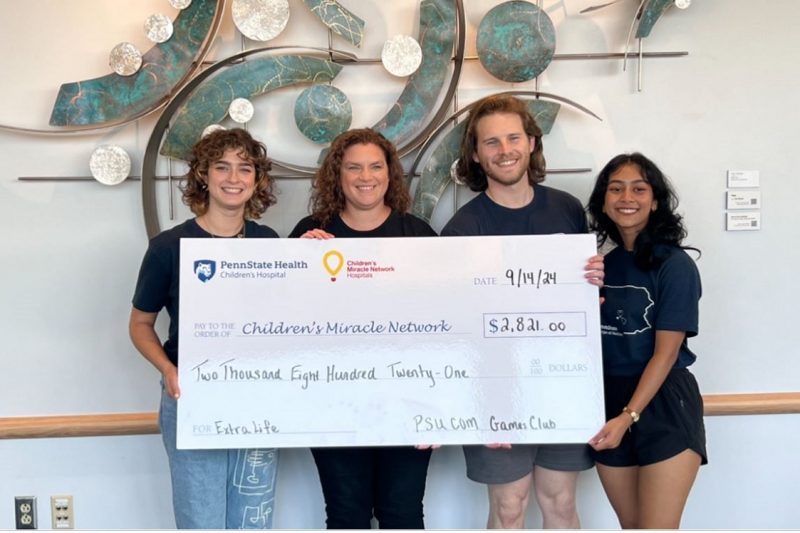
[[629, 202]]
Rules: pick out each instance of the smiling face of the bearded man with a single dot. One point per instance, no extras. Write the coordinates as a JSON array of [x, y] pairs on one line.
[[503, 149]]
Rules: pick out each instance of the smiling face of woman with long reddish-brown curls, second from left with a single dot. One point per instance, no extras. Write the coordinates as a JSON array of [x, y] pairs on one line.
[[364, 177]]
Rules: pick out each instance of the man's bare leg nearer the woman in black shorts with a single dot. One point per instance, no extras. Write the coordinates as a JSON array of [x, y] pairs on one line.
[[555, 494]]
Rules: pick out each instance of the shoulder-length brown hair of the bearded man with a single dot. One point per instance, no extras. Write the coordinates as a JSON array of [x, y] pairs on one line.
[[471, 171]]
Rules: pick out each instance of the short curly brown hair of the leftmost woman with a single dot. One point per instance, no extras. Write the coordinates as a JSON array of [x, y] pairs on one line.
[[211, 148]]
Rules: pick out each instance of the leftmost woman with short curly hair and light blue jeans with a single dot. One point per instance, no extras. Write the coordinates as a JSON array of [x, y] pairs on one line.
[[227, 187]]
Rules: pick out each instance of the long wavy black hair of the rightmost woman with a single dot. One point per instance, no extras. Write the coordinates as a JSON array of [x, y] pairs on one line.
[[664, 225]]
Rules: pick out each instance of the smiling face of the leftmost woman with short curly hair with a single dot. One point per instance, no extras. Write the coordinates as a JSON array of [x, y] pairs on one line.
[[231, 181]]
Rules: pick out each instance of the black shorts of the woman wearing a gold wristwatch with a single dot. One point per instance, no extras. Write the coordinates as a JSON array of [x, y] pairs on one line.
[[671, 423]]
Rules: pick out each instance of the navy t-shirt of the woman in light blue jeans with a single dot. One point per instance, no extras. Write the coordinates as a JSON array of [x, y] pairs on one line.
[[158, 283]]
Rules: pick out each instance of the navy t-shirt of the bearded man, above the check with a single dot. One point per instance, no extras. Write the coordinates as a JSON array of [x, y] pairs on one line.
[[551, 211]]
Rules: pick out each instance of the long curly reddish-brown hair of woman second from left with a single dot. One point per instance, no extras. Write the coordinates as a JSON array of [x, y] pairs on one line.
[[327, 198]]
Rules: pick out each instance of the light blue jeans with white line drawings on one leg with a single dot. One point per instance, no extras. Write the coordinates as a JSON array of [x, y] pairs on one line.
[[218, 489]]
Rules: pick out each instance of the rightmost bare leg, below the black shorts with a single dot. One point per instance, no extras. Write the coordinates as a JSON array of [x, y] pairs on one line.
[[664, 488]]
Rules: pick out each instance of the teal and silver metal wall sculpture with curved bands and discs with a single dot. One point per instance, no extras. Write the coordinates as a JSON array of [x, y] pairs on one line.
[[515, 43]]
